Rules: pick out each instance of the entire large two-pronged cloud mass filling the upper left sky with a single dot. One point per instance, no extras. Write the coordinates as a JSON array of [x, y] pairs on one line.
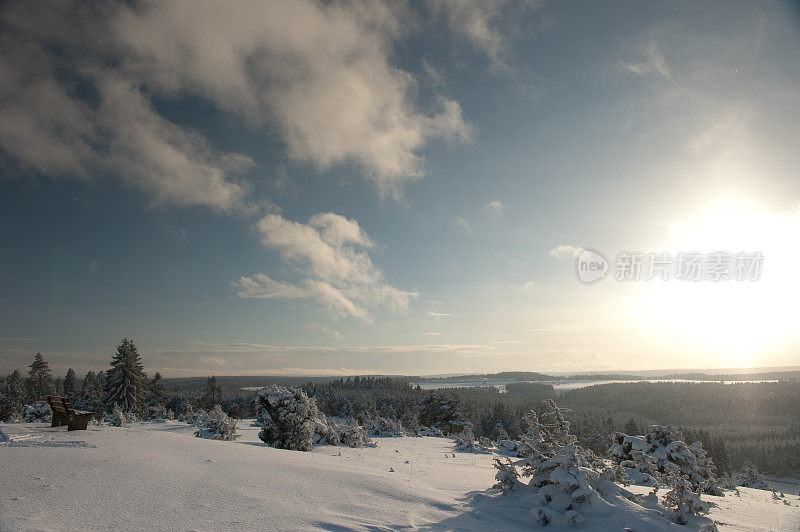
[[318, 73]]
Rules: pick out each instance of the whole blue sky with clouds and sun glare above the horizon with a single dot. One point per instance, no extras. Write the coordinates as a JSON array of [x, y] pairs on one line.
[[353, 187]]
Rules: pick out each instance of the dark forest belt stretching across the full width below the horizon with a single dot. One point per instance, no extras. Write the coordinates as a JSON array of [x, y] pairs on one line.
[[737, 423]]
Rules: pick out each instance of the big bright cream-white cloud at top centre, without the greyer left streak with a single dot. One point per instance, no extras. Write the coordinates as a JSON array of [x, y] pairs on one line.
[[319, 71]]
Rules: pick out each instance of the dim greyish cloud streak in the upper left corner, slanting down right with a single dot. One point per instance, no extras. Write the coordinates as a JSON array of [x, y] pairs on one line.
[[48, 129]]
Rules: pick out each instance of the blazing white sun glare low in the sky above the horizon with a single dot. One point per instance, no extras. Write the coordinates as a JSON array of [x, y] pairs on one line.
[[734, 323]]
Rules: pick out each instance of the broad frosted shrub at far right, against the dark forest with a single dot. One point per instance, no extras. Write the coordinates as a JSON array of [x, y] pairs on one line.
[[660, 456]]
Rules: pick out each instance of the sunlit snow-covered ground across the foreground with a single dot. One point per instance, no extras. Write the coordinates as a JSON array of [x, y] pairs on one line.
[[159, 477]]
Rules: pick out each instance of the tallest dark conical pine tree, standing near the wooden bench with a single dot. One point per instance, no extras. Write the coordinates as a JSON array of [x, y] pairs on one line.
[[125, 381]]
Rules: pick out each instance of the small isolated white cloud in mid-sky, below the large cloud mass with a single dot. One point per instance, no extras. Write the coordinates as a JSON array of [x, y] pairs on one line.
[[331, 253]]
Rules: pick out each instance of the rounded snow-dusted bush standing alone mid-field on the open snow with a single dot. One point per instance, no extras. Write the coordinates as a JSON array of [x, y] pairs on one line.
[[287, 418]]
